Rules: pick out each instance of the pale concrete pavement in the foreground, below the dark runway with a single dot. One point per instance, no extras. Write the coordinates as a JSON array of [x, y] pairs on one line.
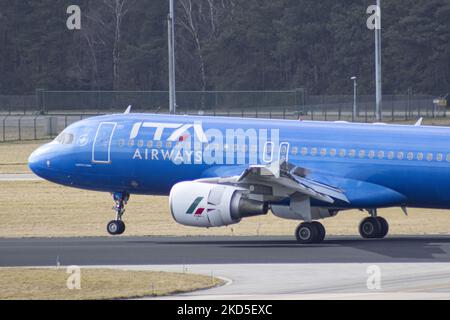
[[321, 281]]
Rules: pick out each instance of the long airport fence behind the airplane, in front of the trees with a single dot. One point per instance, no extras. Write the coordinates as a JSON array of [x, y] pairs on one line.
[[45, 114]]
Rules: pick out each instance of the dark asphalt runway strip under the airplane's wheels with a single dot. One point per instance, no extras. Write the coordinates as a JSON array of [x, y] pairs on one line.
[[219, 250]]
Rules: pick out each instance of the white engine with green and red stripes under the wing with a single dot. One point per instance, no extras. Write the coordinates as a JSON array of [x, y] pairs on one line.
[[207, 205]]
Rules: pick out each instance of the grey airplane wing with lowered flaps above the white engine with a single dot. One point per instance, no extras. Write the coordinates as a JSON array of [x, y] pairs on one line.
[[281, 180]]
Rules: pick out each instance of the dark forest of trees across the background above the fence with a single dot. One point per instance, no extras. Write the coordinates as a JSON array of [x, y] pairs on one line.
[[224, 45]]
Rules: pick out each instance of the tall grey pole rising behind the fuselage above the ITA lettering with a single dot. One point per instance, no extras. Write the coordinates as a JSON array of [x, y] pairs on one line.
[[171, 58]]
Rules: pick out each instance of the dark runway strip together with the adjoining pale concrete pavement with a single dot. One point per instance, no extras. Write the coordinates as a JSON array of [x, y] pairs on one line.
[[261, 267]]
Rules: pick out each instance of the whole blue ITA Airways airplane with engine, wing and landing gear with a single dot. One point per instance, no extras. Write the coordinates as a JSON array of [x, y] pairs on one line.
[[218, 171]]
